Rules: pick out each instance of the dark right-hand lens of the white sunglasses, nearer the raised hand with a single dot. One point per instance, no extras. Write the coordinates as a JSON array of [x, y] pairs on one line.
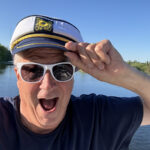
[[63, 72]]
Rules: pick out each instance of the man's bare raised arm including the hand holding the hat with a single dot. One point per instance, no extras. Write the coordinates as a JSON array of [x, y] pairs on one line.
[[102, 61]]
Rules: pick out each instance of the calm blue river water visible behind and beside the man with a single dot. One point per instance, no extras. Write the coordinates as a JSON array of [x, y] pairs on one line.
[[84, 84]]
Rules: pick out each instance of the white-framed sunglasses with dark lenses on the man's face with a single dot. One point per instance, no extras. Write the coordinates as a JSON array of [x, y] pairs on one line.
[[34, 72]]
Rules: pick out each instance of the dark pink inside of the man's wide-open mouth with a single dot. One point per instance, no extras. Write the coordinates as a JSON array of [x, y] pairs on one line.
[[48, 104]]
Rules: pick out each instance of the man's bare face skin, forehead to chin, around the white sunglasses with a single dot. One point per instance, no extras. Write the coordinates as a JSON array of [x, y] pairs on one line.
[[36, 96]]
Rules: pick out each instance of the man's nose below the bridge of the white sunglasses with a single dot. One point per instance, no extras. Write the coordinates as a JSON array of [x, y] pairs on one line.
[[48, 81]]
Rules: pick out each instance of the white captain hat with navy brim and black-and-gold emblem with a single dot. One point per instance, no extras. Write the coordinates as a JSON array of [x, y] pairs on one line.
[[42, 31]]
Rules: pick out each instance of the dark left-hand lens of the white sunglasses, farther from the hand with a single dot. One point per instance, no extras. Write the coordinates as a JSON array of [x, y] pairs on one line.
[[32, 72]]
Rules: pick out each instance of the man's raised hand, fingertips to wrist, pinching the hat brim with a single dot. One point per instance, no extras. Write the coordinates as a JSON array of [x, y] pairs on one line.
[[101, 60]]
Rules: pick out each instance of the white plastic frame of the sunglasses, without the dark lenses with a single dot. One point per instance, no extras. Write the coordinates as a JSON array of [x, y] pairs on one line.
[[46, 67]]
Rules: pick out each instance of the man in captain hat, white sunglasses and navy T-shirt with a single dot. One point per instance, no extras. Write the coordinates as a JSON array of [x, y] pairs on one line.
[[45, 116]]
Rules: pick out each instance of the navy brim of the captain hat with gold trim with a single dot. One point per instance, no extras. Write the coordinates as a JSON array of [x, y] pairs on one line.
[[39, 42]]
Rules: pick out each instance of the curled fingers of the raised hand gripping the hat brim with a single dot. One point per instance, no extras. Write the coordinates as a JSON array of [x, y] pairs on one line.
[[90, 54]]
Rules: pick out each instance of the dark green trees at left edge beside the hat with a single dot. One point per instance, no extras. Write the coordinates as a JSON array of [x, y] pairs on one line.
[[5, 54]]
